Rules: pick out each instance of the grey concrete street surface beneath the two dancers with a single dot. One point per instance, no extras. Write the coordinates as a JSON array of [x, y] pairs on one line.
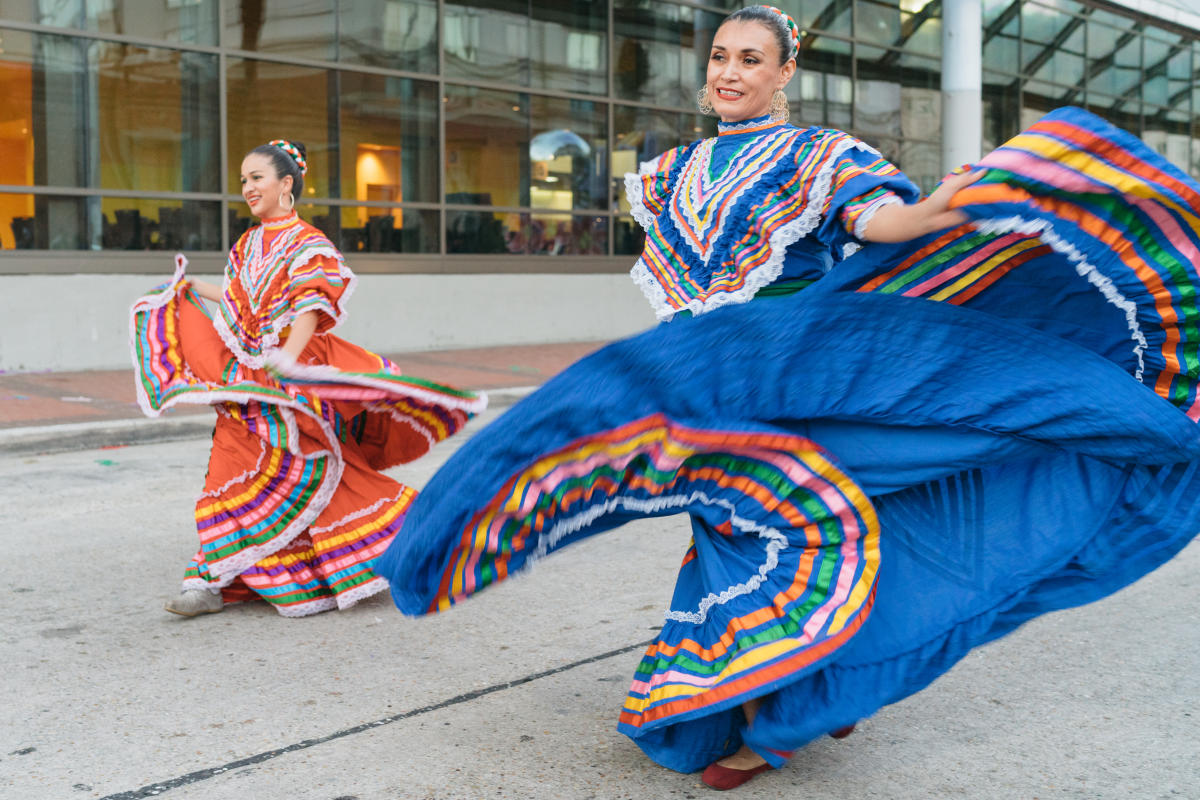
[[513, 695]]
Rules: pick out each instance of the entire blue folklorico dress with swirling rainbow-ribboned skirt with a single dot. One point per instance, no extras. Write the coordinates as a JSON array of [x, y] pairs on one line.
[[929, 446]]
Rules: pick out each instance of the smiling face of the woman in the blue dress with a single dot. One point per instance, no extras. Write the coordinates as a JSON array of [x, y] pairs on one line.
[[745, 70]]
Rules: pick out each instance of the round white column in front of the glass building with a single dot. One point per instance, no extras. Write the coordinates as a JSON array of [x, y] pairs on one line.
[[962, 82]]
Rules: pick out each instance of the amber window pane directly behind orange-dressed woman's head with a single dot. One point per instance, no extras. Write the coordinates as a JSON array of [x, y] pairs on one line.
[[281, 101]]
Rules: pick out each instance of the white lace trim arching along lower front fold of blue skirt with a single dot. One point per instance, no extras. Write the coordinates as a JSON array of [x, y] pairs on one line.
[[549, 540]]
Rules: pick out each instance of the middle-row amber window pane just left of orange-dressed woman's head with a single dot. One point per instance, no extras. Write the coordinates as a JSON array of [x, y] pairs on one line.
[[157, 116]]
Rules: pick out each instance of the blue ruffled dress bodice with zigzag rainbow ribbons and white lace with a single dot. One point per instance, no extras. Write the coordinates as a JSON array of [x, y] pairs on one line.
[[760, 203]]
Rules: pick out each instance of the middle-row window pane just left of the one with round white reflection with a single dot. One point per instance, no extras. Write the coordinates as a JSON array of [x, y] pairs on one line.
[[488, 148]]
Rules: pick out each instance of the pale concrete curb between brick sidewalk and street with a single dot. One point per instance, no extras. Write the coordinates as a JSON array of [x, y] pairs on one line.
[[69, 437]]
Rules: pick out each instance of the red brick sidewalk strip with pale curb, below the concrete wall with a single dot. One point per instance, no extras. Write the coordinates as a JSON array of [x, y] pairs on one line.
[[56, 412]]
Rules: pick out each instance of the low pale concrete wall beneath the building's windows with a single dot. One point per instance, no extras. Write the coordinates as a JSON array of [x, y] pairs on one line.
[[81, 322]]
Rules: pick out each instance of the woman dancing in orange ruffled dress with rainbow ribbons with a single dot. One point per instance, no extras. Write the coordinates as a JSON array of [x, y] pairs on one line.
[[295, 508]]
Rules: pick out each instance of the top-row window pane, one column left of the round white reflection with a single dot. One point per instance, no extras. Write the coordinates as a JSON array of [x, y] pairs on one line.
[[488, 39]]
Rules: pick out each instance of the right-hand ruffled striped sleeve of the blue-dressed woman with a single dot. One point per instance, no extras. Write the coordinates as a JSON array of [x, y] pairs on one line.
[[863, 182]]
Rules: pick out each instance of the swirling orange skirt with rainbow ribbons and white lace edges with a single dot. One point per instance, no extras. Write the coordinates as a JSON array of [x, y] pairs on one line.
[[295, 509]]
